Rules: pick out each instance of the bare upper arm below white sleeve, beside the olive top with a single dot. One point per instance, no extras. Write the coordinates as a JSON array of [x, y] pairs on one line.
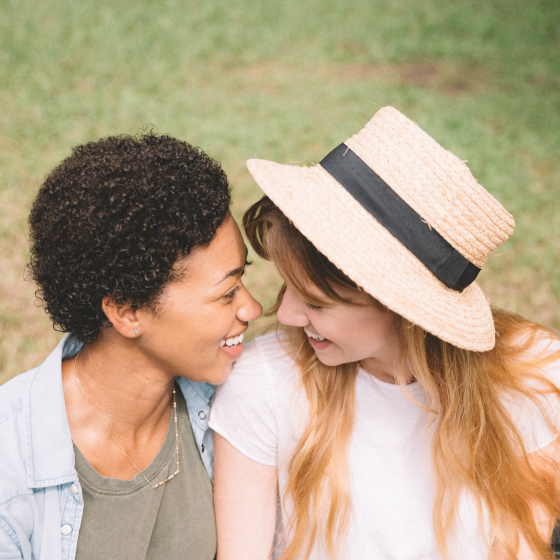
[[245, 494]]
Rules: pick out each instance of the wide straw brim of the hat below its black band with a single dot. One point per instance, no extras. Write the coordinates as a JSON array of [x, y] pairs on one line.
[[355, 242]]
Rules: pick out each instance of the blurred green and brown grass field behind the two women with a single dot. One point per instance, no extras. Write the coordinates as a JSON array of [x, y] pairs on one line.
[[285, 81]]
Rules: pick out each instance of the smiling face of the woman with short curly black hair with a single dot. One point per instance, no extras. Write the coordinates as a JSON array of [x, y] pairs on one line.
[[199, 319]]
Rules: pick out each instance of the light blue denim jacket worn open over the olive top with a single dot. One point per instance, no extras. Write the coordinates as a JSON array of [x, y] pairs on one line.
[[41, 501]]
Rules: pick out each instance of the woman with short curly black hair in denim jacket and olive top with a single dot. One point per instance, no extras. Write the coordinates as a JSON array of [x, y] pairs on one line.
[[105, 448]]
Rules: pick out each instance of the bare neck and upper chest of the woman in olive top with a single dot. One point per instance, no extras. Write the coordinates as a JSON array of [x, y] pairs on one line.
[[132, 398]]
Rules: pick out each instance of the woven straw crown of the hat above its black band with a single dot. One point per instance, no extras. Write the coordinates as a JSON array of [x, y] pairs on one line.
[[436, 183]]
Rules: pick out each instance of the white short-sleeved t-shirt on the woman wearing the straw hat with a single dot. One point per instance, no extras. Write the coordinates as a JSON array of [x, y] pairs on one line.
[[262, 409]]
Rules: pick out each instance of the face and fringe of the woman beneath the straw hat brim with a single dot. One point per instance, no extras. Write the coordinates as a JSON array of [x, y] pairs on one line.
[[343, 324]]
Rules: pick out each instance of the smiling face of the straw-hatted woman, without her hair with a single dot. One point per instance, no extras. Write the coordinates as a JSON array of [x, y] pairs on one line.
[[340, 333]]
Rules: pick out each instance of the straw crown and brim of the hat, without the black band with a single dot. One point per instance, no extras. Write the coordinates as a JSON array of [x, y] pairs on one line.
[[433, 182]]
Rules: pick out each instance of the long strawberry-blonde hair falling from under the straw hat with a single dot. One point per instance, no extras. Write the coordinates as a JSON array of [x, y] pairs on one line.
[[475, 444]]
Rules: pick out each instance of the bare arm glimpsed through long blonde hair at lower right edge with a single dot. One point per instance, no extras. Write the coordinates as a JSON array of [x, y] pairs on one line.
[[541, 459]]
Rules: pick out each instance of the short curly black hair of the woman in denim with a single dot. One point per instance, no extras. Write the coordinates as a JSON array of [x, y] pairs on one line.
[[113, 219]]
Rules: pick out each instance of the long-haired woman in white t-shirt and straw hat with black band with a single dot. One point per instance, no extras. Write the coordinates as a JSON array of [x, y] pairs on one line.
[[397, 414]]
